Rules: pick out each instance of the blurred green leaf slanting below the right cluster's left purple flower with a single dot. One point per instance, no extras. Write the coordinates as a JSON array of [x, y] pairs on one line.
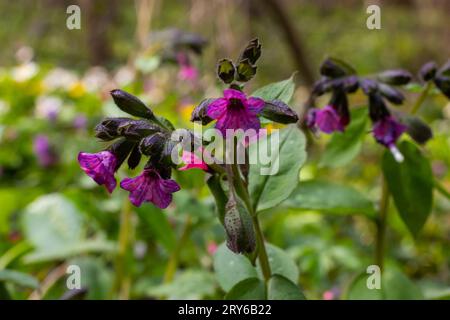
[[345, 146]]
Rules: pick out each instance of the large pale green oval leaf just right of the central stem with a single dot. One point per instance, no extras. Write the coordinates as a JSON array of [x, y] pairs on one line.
[[280, 179]]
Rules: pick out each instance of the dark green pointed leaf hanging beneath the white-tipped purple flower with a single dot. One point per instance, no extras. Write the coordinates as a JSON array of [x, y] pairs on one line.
[[411, 185]]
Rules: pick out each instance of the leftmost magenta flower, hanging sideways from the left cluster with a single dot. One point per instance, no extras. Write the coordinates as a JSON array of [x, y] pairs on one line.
[[100, 167]]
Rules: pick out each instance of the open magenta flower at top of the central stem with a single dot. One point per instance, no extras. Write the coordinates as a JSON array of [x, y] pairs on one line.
[[235, 111]]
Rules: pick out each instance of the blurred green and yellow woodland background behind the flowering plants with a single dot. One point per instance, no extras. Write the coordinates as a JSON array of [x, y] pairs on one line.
[[54, 88]]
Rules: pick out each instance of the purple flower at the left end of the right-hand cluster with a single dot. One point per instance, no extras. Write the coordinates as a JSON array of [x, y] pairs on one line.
[[326, 119]]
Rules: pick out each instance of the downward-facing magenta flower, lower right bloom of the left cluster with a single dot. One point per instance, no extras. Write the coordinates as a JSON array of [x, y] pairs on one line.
[[150, 187]]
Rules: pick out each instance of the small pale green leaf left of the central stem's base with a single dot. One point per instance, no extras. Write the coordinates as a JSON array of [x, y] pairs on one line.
[[231, 268]]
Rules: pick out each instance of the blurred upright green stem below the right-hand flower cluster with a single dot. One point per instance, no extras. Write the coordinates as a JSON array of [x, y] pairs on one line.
[[381, 225]]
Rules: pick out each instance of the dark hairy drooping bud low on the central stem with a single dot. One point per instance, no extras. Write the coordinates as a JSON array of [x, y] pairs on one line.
[[239, 227]]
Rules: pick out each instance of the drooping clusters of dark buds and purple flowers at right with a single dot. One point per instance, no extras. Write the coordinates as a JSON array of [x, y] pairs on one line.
[[340, 79]]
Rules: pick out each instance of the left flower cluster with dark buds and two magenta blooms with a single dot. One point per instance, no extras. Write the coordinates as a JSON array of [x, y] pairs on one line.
[[131, 140]]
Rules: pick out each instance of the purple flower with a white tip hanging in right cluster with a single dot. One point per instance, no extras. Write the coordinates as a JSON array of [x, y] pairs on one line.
[[386, 131]]
